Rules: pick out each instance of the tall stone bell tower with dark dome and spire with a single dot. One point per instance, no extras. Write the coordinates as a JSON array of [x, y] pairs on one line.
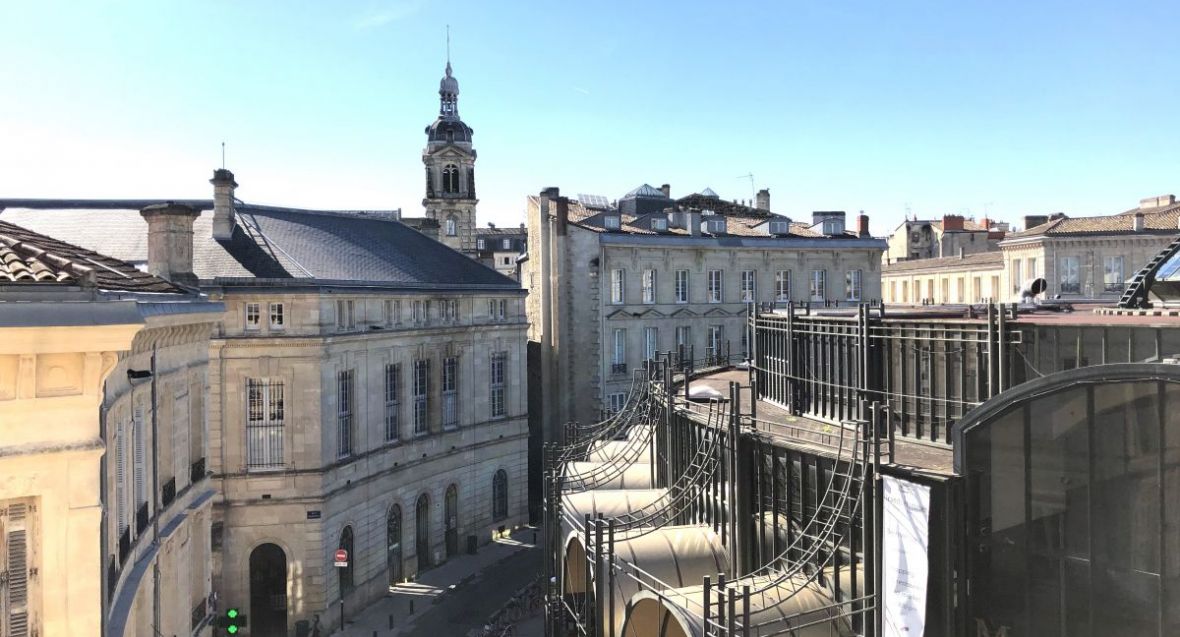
[[451, 170]]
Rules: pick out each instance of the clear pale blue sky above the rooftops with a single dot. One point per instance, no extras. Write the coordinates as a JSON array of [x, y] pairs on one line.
[[1006, 108]]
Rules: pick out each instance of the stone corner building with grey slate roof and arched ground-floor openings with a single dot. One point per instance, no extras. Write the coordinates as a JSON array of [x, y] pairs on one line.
[[366, 392]]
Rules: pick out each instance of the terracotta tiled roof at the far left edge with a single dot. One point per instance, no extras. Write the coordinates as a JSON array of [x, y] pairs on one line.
[[31, 258]]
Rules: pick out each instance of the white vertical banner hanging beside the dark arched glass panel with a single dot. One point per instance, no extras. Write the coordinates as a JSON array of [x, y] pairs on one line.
[[906, 564]]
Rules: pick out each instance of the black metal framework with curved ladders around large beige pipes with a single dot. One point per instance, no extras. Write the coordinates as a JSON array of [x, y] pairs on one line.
[[739, 527]]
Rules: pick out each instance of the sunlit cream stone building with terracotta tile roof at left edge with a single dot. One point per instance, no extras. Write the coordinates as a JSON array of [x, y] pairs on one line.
[[104, 501]]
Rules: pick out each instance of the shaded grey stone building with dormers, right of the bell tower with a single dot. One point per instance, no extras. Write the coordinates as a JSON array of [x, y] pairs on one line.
[[611, 285]]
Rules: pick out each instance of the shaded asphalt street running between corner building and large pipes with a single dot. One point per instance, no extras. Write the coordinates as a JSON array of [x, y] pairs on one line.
[[470, 606]]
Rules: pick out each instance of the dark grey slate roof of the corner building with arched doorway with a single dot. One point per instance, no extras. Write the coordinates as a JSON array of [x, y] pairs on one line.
[[270, 242]]
